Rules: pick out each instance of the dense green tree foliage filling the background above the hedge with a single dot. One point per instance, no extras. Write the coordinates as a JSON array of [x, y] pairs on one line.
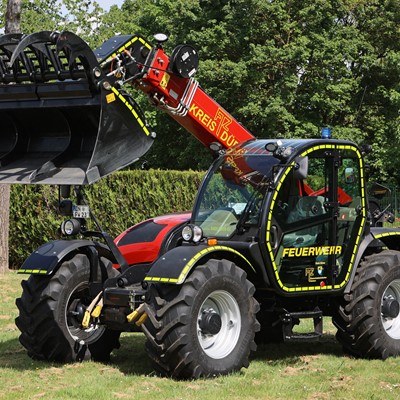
[[284, 68]]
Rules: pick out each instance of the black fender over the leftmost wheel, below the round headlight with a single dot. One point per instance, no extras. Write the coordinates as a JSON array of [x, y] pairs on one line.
[[48, 257]]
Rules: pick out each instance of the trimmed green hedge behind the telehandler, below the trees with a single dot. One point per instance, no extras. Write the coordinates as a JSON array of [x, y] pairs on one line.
[[118, 201]]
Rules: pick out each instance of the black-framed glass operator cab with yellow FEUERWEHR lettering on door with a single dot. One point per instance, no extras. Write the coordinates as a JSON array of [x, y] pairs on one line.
[[303, 201]]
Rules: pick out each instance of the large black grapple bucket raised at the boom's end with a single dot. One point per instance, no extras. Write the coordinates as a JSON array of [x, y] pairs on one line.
[[64, 120]]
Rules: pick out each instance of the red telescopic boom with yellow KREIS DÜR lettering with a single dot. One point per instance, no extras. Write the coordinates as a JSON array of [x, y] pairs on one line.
[[188, 104]]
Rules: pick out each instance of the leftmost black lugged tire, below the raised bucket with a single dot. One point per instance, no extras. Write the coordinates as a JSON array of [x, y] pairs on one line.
[[50, 314]]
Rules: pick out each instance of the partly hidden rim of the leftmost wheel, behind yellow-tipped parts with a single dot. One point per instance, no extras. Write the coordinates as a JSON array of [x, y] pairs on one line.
[[79, 299]]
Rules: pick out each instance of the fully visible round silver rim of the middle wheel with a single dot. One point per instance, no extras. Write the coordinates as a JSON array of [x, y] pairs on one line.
[[223, 308]]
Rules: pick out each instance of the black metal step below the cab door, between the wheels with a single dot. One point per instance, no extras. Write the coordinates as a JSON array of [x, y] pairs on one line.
[[290, 319]]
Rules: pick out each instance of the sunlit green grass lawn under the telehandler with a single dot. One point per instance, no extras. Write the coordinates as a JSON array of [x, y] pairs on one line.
[[313, 371]]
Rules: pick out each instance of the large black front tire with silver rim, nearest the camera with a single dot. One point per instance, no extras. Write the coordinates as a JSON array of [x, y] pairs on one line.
[[204, 327]]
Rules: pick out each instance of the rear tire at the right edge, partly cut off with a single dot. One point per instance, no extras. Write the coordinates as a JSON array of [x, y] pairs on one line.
[[369, 320]]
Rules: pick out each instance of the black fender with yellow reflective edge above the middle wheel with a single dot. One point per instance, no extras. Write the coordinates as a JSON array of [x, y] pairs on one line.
[[175, 265]]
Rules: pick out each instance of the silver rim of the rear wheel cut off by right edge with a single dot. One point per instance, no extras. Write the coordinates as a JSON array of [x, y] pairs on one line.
[[390, 309]]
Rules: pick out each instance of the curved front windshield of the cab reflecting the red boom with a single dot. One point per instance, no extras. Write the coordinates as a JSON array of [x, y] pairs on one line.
[[231, 197]]
